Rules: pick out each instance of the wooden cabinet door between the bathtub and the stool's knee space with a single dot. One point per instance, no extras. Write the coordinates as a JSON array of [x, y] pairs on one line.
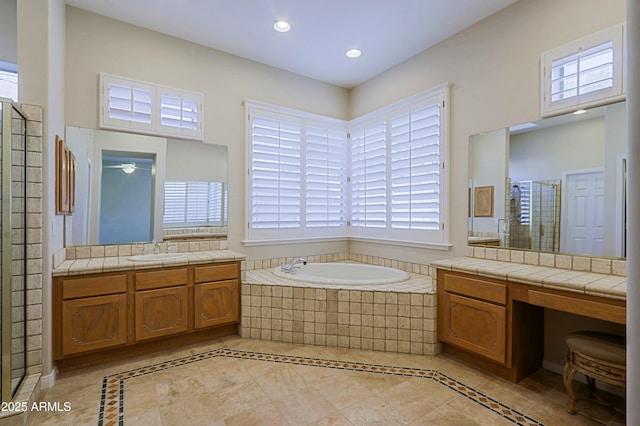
[[477, 326]]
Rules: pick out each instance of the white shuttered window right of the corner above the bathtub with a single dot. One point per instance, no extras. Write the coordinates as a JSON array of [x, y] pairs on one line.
[[397, 170]]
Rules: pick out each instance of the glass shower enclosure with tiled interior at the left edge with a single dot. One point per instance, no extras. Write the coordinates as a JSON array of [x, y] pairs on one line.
[[13, 311]]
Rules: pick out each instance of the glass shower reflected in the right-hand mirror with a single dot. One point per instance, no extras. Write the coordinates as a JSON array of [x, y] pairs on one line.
[[533, 214]]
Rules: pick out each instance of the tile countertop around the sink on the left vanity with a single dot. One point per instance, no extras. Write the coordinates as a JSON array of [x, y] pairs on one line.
[[109, 264]]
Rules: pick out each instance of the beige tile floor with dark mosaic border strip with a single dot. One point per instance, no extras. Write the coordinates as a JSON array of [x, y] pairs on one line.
[[238, 381]]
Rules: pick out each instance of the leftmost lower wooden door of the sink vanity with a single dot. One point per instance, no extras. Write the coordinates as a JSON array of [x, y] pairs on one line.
[[93, 323]]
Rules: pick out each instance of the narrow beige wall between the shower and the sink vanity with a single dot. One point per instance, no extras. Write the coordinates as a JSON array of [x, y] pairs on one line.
[[41, 52]]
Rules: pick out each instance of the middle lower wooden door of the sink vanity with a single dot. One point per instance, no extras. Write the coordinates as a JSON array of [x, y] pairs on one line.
[[161, 312]]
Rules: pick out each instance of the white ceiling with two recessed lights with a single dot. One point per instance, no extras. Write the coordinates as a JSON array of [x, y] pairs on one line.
[[387, 31]]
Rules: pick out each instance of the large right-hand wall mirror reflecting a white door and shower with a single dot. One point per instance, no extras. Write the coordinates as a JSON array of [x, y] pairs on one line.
[[559, 184]]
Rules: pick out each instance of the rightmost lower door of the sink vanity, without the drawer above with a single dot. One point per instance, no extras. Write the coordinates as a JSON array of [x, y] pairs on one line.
[[216, 303]]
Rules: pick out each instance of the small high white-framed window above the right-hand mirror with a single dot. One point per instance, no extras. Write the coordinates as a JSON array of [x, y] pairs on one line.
[[583, 73]]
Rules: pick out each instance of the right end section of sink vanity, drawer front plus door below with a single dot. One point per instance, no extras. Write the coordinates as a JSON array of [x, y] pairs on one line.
[[216, 295]]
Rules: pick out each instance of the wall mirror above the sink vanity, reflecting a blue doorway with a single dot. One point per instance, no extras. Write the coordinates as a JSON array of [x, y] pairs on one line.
[[134, 188]]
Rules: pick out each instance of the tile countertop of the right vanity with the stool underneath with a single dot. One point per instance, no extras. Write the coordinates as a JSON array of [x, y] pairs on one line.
[[591, 283]]
